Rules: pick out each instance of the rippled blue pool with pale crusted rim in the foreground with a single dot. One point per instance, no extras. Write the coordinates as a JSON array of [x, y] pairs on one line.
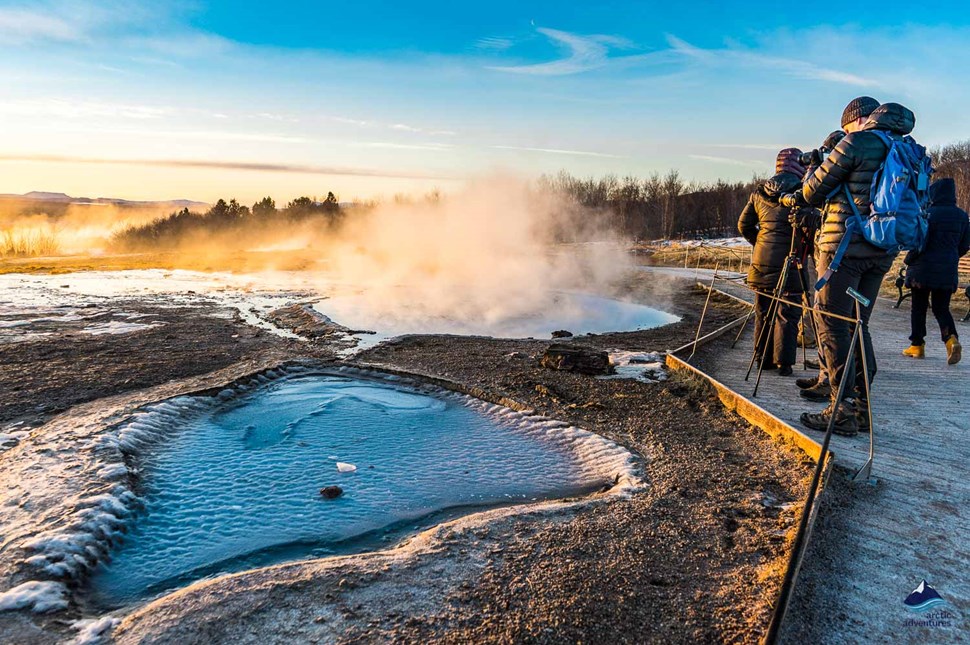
[[234, 481]]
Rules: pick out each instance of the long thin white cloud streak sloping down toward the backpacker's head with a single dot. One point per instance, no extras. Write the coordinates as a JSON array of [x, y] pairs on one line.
[[729, 56]]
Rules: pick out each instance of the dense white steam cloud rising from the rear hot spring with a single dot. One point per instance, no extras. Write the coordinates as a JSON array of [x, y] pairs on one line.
[[486, 254]]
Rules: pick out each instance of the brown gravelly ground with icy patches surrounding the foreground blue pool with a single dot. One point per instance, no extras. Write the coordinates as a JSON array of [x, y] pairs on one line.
[[693, 553]]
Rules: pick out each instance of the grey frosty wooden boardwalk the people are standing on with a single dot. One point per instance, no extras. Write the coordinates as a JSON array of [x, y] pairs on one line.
[[873, 544]]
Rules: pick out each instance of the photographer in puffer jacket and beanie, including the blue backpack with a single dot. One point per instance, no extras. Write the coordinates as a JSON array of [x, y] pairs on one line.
[[855, 250]]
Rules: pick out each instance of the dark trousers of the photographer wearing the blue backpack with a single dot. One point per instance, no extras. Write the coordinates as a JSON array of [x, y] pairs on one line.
[[865, 275]]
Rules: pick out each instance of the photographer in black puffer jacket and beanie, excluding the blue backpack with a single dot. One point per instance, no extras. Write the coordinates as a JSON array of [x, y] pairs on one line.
[[851, 165]]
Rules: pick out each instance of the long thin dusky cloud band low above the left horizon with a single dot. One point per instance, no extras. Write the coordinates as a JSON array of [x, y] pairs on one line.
[[229, 165]]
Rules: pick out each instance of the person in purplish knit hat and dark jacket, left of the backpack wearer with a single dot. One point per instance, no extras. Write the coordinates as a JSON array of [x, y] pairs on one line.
[[765, 224]]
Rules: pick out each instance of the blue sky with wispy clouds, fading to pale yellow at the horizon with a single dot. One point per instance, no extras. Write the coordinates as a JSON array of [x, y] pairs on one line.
[[197, 99]]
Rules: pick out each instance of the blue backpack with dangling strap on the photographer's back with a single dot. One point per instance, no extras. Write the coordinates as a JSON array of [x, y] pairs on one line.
[[899, 199]]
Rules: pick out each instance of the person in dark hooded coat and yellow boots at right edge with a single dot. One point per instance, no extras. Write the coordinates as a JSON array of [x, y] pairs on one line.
[[932, 273]]
